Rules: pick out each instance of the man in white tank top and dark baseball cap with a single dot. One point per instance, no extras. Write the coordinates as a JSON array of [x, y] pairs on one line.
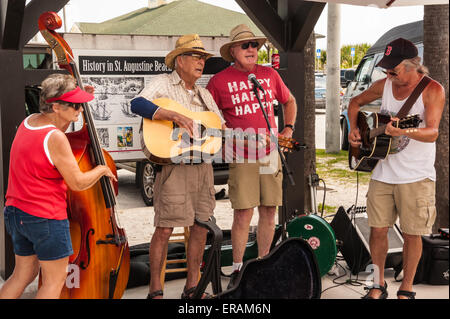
[[403, 184]]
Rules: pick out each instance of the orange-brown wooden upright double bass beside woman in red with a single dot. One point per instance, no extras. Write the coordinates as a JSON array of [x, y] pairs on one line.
[[100, 264]]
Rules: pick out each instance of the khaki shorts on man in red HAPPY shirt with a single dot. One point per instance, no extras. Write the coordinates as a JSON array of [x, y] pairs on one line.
[[256, 184]]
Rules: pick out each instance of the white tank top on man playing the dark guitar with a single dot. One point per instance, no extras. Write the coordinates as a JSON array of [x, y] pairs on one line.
[[415, 160]]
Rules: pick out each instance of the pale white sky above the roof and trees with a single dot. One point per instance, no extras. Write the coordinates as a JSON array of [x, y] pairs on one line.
[[358, 24]]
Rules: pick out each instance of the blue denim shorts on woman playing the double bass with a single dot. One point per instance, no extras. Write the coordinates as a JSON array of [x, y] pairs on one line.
[[49, 239]]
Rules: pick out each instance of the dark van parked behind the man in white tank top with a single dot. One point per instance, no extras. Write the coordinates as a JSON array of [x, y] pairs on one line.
[[366, 73]]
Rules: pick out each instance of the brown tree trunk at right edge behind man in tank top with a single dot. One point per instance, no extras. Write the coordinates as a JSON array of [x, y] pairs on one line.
[[435, 34]]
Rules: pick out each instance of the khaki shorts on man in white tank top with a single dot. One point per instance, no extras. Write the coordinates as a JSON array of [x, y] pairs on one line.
[[413, 203]]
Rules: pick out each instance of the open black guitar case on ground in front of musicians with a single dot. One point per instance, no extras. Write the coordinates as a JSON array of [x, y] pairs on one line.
[[289, 271]]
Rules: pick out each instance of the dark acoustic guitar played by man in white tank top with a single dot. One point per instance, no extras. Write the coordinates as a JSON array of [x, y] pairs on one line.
[[376, 145]]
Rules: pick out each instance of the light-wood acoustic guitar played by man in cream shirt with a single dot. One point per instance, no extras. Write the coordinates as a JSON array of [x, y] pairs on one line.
[[164, 142]]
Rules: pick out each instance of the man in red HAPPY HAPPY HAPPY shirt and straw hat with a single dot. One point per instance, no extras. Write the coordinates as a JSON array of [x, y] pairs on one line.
[[250, 183]]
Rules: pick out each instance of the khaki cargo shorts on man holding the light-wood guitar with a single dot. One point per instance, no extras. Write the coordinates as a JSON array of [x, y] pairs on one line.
[[183, 193]]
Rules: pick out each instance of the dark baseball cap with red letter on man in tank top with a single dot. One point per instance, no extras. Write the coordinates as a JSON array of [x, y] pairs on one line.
[[397, 51]]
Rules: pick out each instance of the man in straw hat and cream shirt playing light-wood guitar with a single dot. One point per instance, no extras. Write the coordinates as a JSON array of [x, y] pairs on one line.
[[182, 192]]
